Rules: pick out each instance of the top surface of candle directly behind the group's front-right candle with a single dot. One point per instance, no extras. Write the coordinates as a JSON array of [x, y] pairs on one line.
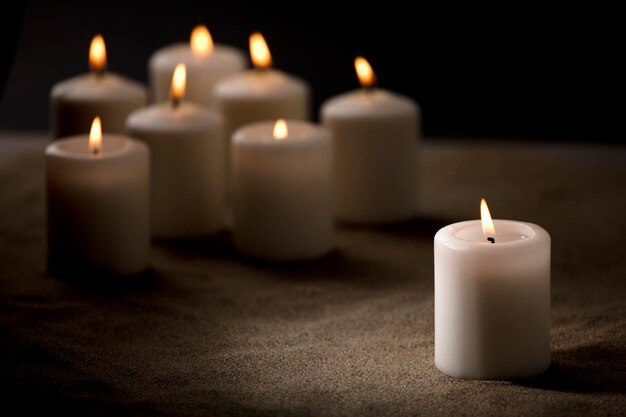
[[261, 84]]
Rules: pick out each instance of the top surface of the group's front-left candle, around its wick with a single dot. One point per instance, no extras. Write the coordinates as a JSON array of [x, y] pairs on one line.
[[77, 147]]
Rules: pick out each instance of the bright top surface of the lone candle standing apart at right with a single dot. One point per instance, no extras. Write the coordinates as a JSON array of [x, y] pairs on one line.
[[468, 234]]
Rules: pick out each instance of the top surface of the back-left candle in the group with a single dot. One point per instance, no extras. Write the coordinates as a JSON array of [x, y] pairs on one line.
[[107, 86]]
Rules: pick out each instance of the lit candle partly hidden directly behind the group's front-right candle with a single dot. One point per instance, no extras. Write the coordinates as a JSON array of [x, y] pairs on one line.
[[261, 94]]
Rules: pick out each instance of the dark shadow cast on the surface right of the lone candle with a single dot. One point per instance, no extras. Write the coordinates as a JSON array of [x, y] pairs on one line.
[[586, 369]]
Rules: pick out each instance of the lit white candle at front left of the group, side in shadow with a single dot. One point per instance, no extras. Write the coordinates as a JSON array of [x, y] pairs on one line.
[[98, 203]]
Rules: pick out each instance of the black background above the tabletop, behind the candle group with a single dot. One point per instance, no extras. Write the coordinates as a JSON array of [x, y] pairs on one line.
[[507, 71]]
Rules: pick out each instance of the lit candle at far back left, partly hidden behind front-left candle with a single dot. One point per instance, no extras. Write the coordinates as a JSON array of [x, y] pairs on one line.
[[75, 102]]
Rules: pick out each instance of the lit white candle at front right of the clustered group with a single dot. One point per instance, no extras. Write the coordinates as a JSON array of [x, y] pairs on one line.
[[282, 178]]
